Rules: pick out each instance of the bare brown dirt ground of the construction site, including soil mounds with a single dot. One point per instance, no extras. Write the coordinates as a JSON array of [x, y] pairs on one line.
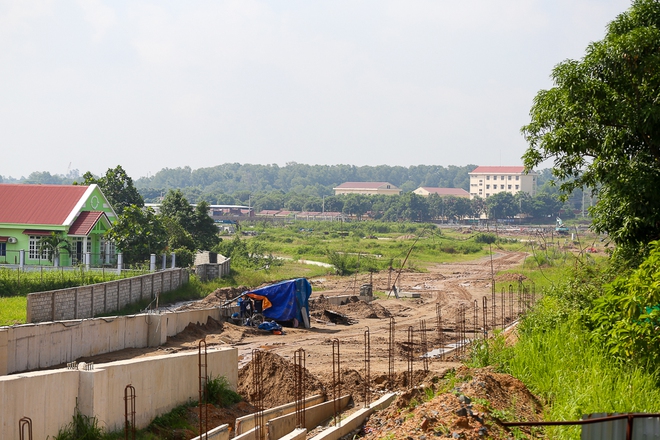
[[470, 410]]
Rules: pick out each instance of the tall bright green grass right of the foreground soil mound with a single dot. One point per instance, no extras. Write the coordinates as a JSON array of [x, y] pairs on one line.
[[569, 372]]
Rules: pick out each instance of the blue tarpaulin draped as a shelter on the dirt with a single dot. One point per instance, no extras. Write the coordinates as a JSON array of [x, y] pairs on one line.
[[288, 298]]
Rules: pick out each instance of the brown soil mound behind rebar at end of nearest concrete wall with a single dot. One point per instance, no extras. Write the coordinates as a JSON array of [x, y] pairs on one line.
[[277, 381]]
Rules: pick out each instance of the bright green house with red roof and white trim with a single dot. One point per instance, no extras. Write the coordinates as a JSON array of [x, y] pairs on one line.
[[77, 216]]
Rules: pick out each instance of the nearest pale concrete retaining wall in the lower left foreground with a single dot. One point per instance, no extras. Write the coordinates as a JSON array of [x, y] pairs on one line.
[[161, 383]]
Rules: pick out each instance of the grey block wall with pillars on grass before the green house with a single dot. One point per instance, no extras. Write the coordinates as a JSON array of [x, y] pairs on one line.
[[87, 301]]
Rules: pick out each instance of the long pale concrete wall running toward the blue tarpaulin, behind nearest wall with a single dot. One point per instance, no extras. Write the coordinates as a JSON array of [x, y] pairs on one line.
[[35, 346]]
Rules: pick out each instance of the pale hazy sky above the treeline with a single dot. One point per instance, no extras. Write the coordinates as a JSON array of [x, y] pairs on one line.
[[88, 85]]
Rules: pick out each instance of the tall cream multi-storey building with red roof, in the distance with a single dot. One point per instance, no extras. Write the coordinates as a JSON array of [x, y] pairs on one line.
[[487, 181]]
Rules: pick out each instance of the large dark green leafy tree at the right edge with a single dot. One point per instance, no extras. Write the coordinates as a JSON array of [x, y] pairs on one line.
[[600, 123]]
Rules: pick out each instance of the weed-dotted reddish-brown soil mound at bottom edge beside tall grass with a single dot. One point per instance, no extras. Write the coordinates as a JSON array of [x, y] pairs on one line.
[[470, 410]]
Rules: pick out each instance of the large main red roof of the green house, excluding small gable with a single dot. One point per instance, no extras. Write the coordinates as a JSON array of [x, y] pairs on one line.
[[38, 204]]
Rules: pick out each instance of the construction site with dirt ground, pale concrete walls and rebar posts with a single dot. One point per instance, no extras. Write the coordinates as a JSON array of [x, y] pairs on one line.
[[363, 359]]
